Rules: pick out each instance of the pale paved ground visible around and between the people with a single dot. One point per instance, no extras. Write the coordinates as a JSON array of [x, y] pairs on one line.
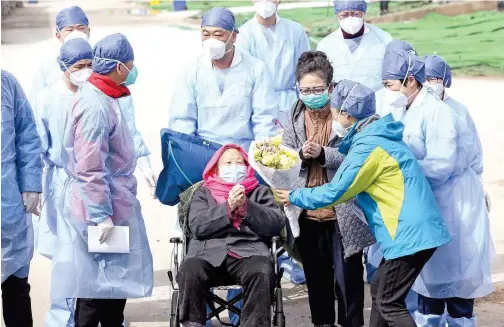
[[161, 51]]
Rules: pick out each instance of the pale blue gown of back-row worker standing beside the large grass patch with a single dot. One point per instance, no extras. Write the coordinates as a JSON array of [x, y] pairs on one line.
[[358, 59]]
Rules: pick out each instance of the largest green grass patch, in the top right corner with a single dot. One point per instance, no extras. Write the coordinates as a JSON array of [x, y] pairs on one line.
[[473, 44]]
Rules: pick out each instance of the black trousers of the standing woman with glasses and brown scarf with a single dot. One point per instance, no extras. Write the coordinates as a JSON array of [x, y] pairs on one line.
[[327, 271]]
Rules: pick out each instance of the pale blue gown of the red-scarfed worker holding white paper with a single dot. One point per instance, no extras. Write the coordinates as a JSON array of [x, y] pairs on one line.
[[100, 159]]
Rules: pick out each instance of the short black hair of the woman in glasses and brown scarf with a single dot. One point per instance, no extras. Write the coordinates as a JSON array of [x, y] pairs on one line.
[[314, 62]]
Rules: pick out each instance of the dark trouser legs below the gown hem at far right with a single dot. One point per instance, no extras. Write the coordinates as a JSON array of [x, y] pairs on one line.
[[456, 307]]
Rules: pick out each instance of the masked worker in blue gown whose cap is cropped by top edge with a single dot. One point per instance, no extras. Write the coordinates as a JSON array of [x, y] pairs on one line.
[[279, 42]]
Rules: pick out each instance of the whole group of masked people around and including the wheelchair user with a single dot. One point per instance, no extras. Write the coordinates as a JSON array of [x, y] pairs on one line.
[[389, 161]]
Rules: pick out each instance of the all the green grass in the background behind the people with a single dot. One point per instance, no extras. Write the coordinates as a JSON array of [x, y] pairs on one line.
[[473, 44]]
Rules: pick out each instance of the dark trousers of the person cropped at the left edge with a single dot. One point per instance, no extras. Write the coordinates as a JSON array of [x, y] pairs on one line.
[[16, 302]]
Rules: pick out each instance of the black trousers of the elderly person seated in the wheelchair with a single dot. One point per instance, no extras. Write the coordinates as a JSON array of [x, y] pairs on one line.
[[254, 274]]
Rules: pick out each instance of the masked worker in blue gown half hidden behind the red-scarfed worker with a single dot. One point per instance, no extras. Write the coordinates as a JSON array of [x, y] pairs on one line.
[[51, 108]]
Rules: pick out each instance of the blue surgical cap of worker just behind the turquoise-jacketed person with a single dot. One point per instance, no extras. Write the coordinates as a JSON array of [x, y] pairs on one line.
[[399, 64]]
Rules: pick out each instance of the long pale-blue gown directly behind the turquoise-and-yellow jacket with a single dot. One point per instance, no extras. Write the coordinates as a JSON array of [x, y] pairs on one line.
[[438, 138]]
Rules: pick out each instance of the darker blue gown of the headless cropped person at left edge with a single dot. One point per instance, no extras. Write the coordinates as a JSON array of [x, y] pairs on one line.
[[21, 172]]
